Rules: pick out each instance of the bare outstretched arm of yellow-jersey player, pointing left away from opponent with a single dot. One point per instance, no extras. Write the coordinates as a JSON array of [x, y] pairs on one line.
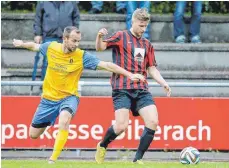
[[28, 45]]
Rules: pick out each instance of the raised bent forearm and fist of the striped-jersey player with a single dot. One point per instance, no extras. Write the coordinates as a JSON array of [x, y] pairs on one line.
[[100, 45]]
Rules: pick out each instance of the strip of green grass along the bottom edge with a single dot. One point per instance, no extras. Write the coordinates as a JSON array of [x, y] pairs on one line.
[[112, 164]]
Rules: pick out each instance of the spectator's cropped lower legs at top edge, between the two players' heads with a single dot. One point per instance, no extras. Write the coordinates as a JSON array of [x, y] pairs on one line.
[[97, 7]]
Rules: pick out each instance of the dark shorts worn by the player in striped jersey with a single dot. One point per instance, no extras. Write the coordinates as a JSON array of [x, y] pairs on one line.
[[133, 99]]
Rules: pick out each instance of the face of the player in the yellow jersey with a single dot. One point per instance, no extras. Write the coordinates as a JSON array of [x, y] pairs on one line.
[[72, 42]]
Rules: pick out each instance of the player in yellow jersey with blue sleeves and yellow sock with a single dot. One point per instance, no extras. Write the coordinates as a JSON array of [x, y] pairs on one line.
[[60, 88]]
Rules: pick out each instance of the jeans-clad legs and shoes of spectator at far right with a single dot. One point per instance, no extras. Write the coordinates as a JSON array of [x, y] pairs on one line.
[[194, 31]]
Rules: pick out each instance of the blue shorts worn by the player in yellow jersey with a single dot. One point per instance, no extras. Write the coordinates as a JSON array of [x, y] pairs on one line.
[[48, 110]]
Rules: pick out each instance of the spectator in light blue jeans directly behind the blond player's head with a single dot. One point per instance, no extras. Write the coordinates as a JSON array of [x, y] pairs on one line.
[[131, 6]]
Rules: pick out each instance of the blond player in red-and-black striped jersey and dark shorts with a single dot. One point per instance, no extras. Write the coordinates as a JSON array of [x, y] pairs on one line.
[[135, 54]]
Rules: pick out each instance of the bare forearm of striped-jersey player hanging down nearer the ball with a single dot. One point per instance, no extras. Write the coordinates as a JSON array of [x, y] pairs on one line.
[[155, 74]]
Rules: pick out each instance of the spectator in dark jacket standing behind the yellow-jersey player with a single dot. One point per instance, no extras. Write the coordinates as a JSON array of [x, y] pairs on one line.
[[50, 20]]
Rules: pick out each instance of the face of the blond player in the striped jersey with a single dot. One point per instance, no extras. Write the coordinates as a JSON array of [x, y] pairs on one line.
[[139, 27]]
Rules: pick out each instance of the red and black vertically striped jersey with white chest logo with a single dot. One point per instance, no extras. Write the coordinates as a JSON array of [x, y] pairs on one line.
[[134, 55]]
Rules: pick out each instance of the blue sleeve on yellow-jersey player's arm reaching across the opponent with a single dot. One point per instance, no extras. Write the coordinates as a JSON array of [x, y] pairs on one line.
[[90, 61]]
